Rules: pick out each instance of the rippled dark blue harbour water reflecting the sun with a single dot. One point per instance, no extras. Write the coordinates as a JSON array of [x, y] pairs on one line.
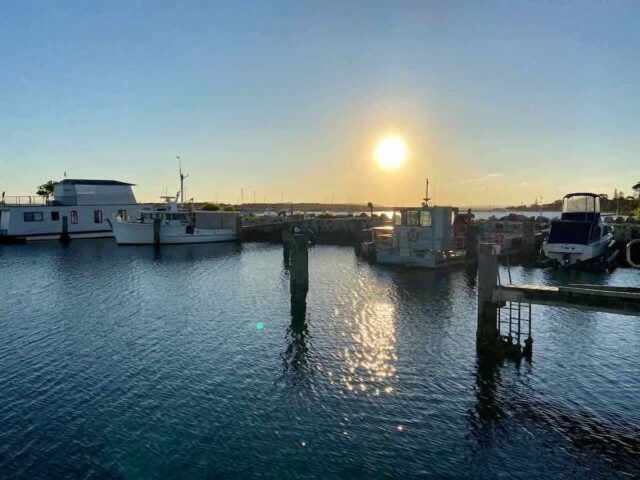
[[123, 362]]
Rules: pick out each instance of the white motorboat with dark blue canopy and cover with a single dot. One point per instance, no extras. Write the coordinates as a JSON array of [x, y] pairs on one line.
[[579, 235]]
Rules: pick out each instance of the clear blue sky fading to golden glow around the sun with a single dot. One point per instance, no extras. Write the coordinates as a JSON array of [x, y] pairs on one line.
[[499, 102]]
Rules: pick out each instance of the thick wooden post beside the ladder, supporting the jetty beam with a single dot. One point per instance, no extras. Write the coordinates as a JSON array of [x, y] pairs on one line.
[[487, 335]]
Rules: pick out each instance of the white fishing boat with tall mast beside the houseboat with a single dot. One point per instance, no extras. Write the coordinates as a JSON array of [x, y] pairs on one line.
[[175, 223]]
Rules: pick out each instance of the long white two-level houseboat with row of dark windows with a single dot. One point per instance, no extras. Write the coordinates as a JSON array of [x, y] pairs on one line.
[[81, 207]]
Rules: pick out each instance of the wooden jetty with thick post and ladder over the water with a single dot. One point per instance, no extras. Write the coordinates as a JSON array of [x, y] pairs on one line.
[[504, 315]]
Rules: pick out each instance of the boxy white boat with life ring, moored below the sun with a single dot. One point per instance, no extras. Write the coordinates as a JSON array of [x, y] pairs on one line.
[[426, 237]]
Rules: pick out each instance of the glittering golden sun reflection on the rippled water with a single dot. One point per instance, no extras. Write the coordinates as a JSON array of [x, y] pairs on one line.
[[370, 358]]
